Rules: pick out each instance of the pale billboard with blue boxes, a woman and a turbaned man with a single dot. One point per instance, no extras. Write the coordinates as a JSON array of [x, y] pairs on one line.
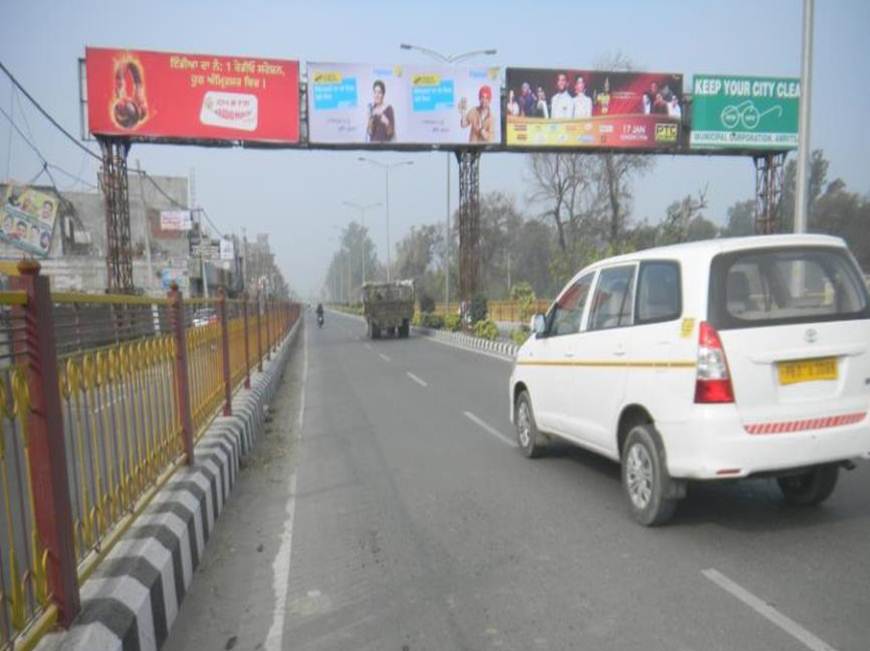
[[378, 105]]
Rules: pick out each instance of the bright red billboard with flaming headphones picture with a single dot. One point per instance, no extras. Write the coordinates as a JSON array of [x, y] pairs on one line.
[[141, 94]]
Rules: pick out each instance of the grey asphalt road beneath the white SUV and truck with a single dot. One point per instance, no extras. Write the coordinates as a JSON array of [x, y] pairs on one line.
[[401, 516]]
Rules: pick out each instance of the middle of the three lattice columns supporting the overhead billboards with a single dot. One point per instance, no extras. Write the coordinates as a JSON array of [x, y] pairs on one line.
[[469, 223]]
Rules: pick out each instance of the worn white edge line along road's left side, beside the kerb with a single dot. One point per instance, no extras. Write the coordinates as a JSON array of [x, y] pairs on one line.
[[281, 564]]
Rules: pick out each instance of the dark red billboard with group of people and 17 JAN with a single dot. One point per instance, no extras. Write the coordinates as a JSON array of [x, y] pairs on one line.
[[593, 108]]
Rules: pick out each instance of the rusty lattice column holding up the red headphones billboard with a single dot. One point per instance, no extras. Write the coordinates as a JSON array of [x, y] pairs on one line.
[[114, 182]]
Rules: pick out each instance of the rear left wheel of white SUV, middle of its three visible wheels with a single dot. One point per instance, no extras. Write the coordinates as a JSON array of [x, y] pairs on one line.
[[645, 477]]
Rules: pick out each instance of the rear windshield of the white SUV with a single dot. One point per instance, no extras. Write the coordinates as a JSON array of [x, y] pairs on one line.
[[785, 285]]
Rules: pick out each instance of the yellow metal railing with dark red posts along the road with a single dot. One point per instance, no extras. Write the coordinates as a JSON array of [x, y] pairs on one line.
[[120, 424]]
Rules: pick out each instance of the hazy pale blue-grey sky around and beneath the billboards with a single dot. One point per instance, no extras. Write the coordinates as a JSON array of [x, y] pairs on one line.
[[296, 196]]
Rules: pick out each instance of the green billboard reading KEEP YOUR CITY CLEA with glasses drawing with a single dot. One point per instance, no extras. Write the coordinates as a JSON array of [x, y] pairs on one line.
[[744, 112]]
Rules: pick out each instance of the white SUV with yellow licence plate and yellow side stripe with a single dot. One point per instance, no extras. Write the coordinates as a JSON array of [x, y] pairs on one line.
[[709, 360]]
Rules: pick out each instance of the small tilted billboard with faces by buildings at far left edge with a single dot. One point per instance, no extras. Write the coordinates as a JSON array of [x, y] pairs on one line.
[[27, 219]]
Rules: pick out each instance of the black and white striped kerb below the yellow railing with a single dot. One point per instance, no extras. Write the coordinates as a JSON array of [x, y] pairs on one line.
[[132, 599]]
